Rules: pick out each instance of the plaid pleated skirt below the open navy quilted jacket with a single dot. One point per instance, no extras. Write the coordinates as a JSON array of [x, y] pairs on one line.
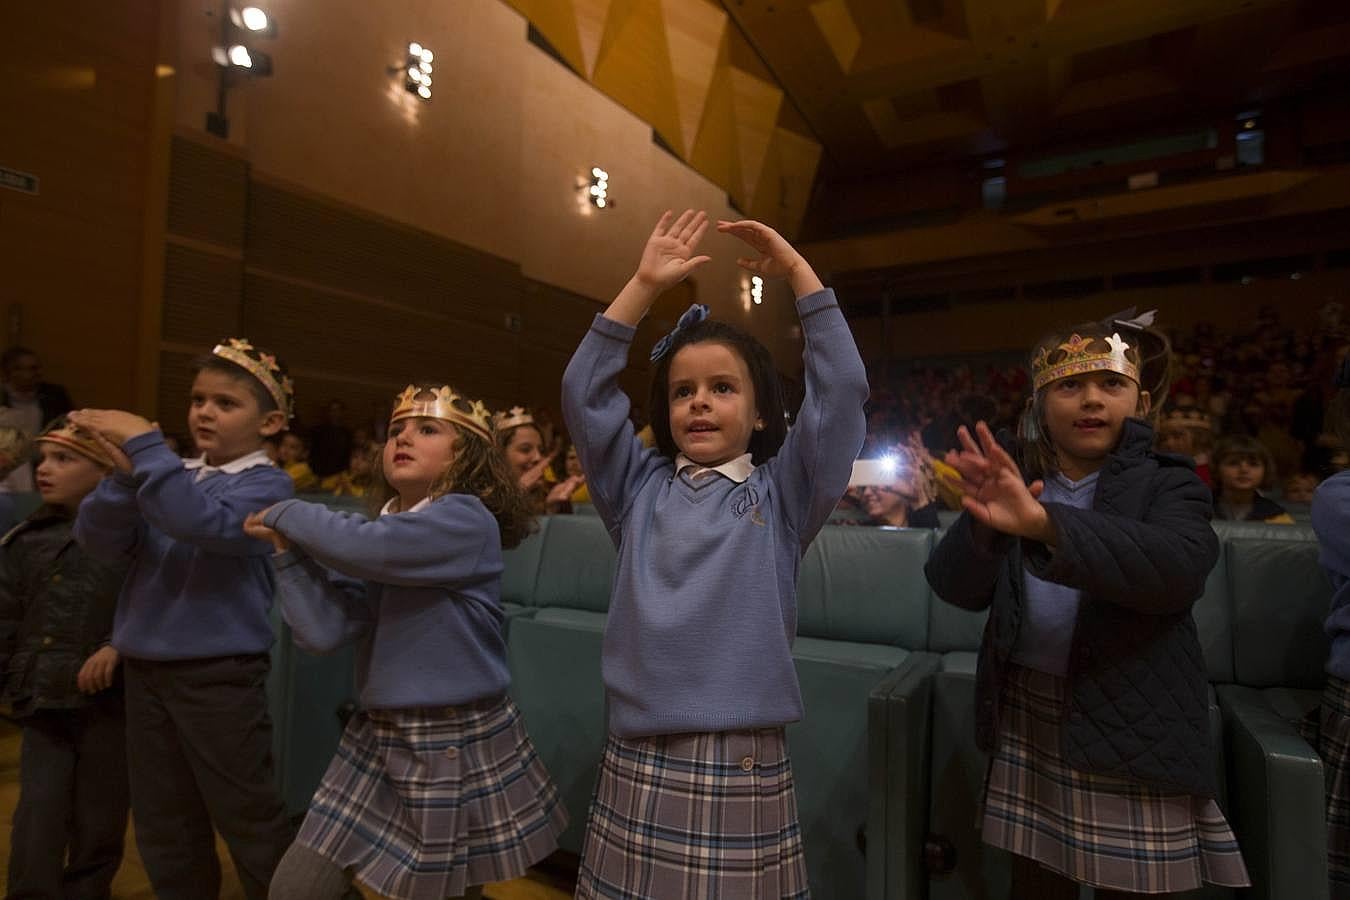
[[1100, 831]]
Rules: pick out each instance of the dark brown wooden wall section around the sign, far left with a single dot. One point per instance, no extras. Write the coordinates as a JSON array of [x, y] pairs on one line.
[[76, 90]]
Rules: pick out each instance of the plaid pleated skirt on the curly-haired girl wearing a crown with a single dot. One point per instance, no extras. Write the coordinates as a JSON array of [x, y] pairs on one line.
[[421, 805]]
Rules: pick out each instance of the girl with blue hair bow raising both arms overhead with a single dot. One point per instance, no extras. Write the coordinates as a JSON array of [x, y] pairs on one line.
[[711, 528]]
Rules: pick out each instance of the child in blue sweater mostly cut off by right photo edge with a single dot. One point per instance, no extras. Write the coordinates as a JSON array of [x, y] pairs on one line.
[[1332, 520]]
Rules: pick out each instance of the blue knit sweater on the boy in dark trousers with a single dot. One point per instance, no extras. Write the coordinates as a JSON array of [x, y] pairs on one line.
[[198, 588]]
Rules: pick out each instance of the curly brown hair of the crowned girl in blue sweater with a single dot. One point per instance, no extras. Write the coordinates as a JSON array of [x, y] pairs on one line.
[[481, 472]]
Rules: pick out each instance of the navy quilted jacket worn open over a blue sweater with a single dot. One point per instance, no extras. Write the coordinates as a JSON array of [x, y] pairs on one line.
[[1137, 689]]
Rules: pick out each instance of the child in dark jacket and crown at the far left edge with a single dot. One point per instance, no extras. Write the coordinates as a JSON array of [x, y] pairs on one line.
[[59, 677]]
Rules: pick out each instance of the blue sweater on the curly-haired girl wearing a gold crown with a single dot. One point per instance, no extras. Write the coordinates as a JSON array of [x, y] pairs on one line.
[[419, 592]]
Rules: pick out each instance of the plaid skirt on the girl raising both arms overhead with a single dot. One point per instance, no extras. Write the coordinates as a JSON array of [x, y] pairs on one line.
[[695, 817]]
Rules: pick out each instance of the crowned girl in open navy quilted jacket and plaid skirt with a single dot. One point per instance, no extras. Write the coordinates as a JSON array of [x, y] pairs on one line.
[[1089, 550]]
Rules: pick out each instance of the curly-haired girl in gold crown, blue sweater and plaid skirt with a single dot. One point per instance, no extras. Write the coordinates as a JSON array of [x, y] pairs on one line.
[[437, 789]]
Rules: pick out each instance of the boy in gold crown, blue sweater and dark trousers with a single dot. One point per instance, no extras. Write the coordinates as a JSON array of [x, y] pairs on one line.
[[192, 624]]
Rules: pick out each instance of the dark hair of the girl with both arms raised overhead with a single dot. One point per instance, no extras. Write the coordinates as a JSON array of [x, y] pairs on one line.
[[769, 391]]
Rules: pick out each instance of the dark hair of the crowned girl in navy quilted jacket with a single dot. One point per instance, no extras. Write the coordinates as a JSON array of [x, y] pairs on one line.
[[1154, 361]]
